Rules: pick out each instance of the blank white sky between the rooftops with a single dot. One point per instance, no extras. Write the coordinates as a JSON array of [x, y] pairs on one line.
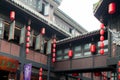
[[82, 12]]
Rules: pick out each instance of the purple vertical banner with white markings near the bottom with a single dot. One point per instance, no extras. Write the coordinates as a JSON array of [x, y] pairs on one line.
[[27, 71]]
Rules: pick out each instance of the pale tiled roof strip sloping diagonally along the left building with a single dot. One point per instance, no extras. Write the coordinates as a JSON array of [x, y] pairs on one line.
[[42, 18]]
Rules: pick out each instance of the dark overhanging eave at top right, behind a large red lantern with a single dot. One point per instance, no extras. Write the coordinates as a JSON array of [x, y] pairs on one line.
[[101, 11]]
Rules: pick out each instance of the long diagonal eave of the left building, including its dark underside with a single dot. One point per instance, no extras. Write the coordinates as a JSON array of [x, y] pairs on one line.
[[31, 13]]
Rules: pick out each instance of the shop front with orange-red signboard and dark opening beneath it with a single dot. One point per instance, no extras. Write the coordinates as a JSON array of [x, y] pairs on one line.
[[8, 68]]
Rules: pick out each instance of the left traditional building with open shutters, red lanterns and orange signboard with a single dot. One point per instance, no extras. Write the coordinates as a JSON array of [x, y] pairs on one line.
[[26, 30]]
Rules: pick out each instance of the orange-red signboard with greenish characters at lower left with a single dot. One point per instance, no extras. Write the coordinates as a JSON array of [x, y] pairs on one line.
[[8, 64]]
